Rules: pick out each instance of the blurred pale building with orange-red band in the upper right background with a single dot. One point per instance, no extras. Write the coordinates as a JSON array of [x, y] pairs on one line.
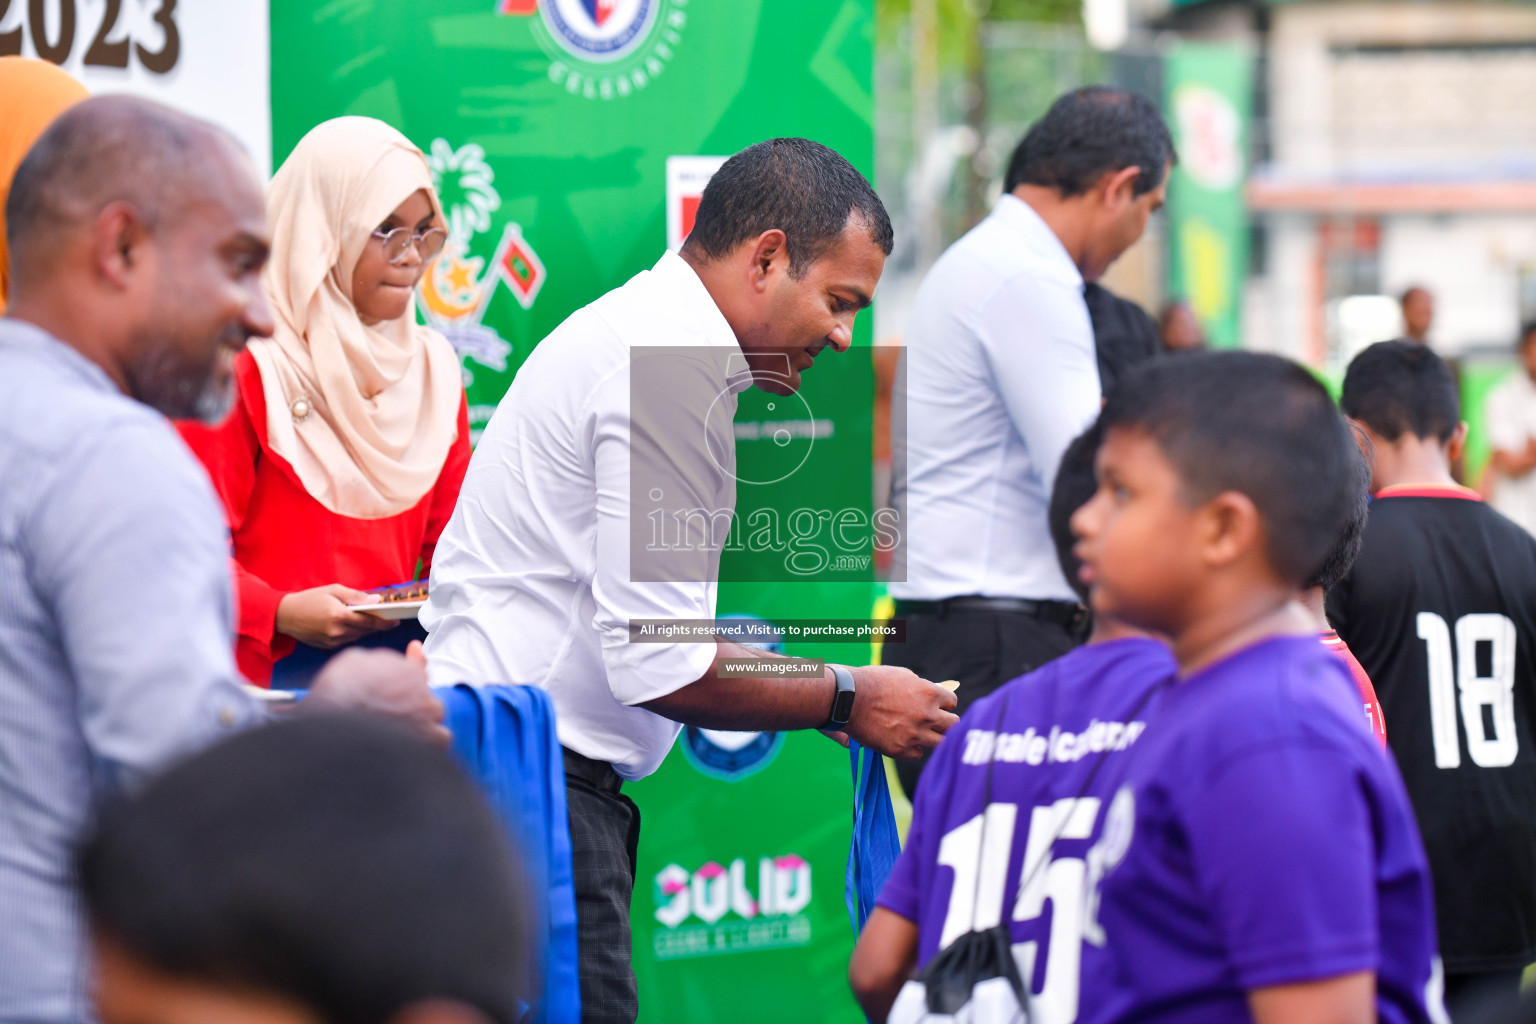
[[1415, 119]]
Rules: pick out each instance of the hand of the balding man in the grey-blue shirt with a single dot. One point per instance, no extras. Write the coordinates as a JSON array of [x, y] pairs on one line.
[[382, 682]]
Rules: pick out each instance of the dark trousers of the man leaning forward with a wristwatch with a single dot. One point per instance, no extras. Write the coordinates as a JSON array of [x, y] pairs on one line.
[[606, 836]]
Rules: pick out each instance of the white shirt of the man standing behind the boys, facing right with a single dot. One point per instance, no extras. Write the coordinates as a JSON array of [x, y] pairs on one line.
[[1001, 377]]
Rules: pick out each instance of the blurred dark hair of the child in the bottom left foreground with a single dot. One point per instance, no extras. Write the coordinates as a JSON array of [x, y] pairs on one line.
[[331, 860]]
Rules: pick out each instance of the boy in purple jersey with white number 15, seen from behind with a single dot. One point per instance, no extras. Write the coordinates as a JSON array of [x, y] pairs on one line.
[[1056, 741]]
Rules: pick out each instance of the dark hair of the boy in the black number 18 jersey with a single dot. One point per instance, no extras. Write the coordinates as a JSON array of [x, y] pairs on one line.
[[1400, 388]]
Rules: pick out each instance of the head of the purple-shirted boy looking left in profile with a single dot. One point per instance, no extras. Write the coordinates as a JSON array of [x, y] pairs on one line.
[[1225, 478]]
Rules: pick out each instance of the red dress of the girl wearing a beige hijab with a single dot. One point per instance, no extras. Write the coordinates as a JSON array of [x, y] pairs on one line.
[[285, 541]]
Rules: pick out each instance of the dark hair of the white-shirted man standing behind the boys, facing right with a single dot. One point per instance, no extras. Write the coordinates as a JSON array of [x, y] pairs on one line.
[[1091, 133]]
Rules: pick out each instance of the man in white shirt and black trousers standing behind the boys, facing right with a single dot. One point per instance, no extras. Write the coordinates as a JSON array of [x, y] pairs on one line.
[[999, 378]]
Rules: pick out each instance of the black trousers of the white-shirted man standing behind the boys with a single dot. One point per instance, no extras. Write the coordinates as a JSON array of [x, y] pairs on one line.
[[982, 649]]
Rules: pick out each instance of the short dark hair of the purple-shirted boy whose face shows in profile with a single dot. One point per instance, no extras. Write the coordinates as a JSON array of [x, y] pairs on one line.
[[1257, 424]]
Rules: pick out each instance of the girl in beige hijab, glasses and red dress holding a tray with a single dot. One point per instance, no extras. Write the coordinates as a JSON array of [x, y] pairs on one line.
[[343, 458]]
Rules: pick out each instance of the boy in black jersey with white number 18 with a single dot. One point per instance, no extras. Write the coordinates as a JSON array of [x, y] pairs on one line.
[[1442, 612]]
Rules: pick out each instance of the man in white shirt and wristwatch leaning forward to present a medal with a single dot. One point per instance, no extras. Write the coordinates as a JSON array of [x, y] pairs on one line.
[[629, 406]]
